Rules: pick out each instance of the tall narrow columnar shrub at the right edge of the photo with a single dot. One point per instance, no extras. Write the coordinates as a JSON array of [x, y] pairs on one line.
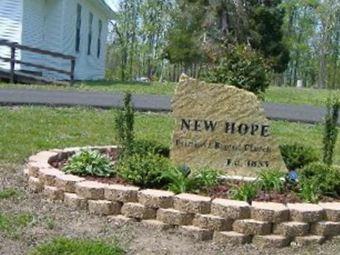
[[331, 130]]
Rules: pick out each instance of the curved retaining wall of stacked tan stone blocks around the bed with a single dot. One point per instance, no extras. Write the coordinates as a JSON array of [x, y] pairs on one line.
[[266, 224]]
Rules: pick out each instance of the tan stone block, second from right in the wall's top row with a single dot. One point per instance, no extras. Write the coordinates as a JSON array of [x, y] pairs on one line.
[[305, 212]]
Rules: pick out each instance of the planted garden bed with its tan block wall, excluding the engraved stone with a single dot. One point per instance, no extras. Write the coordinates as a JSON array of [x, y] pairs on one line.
[[137, 180]]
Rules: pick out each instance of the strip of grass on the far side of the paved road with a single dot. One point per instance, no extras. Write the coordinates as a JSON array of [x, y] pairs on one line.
[[273, 94]]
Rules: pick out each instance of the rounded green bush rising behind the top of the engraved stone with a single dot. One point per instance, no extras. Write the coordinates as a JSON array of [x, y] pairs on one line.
[[241, 67]]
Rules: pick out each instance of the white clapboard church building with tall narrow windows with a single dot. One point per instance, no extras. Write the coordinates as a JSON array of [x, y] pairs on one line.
[[72, 27]]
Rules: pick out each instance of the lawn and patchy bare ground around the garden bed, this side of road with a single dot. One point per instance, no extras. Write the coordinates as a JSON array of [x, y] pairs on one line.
[[30, 225]]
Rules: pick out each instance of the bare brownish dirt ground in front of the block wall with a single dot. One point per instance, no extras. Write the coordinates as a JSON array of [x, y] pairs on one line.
[[53, 220]]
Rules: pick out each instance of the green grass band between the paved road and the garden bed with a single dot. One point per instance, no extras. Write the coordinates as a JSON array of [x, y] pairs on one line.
[[27, 130]]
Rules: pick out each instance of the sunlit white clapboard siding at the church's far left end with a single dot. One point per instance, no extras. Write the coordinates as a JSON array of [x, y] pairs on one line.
[[10, 26]]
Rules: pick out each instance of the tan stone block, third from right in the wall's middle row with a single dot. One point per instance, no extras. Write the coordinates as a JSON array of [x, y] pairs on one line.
[[252, 227]]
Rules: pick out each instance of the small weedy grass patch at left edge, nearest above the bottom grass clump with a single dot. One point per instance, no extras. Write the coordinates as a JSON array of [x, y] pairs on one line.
[[12, 225]]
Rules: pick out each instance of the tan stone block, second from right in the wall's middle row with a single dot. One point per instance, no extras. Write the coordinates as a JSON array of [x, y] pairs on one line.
[[291, 228]]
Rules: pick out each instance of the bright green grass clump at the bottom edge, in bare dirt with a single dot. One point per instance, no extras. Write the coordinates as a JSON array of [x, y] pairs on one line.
[[66, 246]]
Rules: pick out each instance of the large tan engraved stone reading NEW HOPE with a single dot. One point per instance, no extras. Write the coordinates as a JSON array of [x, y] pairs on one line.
[[222, 127]]
